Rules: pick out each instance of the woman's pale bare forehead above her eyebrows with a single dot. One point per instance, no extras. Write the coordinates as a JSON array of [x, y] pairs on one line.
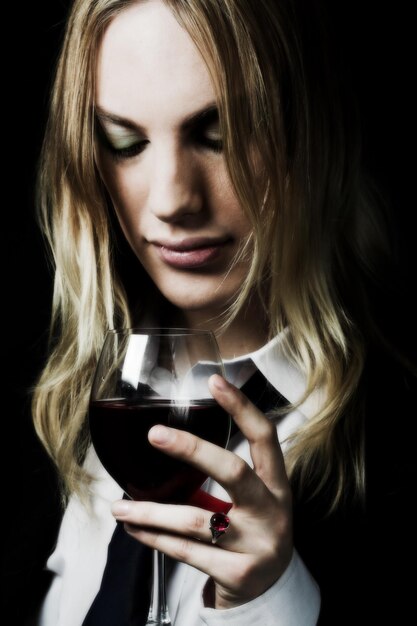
[[148, 65]]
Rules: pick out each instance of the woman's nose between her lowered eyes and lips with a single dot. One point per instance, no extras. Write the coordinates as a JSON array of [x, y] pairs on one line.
[[174, 190]]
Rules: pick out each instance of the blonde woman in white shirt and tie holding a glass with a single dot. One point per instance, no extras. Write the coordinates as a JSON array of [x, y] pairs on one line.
[[200, 169]]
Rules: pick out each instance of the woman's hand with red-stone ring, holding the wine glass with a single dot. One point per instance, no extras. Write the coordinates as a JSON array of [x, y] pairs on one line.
[[257, 547]]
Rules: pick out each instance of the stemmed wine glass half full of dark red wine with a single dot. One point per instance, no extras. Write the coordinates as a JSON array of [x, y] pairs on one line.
[[146, 377]]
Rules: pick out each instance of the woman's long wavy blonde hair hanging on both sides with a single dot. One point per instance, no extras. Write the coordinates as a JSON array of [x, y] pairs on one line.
[[313, 222]]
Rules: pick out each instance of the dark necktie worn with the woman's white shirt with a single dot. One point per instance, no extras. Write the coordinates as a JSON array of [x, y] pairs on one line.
[[124, 595]]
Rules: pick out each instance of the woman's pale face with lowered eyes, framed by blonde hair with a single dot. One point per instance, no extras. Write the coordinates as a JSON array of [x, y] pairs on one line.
[[160, 154]]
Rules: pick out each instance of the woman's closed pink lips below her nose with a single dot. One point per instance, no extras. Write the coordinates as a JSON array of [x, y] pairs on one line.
[[190, 253]]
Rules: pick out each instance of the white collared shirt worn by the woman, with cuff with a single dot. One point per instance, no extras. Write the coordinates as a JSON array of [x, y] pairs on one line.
[[80, 555]]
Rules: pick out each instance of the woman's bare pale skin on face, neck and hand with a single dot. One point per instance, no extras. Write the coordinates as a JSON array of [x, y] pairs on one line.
[[176, 187]]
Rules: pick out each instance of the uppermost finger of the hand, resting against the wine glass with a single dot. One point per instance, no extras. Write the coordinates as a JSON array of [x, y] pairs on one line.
[[260, 432]]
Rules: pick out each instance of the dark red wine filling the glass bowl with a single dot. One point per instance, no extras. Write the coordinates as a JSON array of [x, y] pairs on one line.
[[119, 431]]
